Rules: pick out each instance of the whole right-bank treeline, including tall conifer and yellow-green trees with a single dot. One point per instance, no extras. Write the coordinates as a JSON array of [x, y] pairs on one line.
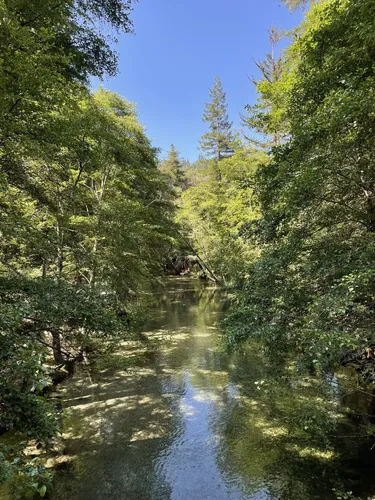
[[285, 212]]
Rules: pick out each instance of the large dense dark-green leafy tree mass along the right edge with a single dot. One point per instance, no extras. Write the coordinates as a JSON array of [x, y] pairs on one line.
[[312, 289]]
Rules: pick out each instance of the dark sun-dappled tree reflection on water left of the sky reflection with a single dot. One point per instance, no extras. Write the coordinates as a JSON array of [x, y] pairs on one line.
[[116, 433]]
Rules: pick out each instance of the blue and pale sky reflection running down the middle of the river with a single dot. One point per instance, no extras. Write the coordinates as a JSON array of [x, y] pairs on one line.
[[190, 464]]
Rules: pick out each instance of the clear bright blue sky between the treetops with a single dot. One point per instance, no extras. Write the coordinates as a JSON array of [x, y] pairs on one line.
[[168, 66]]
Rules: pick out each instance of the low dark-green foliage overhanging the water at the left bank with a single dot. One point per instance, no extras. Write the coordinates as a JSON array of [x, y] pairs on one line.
[[33, 312]]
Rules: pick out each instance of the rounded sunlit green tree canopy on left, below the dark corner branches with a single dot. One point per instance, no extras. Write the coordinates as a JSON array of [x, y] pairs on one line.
[[84, 196]]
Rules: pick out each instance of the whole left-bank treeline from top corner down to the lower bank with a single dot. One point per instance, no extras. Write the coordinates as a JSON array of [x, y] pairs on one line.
[[86, 215]]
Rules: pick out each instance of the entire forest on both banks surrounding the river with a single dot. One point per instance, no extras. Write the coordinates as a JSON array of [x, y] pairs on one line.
[[280, 215]]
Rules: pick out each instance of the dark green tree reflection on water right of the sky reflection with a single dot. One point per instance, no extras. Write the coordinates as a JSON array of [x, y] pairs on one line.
[[286, 432]]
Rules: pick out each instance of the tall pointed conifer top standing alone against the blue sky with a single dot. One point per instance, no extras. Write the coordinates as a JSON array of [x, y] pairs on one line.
[[218, 141]]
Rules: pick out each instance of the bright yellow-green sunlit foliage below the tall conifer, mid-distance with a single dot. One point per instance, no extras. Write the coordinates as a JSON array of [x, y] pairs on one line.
[[215, 213]]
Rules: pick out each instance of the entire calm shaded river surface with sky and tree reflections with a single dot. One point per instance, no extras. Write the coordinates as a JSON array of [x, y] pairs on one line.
[[186, 420]]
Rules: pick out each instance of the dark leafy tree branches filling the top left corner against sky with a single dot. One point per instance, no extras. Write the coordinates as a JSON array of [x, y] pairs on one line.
[[48, 51]]
